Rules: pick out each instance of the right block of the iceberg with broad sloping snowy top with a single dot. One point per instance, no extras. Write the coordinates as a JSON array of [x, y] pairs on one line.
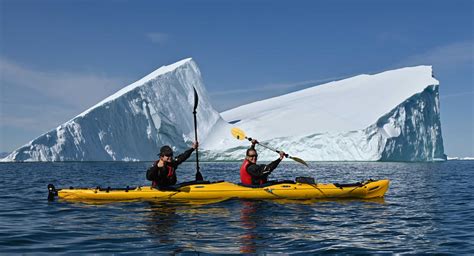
[[391, 116]]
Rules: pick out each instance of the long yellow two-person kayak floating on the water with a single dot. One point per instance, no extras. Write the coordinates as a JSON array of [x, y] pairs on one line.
[[221, 190]]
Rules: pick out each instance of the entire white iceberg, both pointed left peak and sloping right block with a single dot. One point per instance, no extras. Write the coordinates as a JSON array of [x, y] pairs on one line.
[[391, 116]]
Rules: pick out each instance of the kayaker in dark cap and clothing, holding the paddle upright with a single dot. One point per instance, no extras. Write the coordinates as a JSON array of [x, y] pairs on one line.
[[163, 172]]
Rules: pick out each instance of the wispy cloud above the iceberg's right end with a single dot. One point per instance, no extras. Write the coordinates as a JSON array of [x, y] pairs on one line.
[[447, 56]]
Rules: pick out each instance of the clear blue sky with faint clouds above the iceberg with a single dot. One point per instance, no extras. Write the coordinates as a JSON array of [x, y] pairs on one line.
[[58, 58]]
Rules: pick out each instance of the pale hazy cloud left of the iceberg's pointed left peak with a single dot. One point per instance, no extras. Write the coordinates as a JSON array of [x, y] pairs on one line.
[[37, 100]]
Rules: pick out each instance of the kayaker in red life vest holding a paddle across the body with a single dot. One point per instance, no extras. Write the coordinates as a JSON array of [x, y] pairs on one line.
[[252, 173]]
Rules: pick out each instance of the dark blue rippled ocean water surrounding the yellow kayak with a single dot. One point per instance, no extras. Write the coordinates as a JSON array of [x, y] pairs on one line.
[[429, 208]]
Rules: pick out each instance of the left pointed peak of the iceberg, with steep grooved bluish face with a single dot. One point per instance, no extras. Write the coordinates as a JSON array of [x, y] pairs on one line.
[[132, 124]]
